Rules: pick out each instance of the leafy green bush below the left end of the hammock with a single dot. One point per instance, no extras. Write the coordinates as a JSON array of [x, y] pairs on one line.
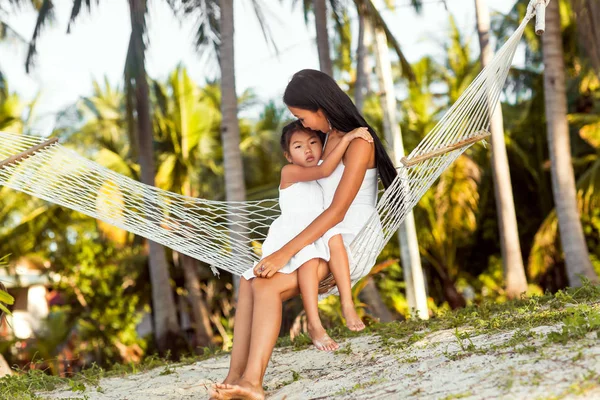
[[99, 282]]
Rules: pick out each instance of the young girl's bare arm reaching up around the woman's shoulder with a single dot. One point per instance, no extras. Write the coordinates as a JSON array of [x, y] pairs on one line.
[[292, 173]]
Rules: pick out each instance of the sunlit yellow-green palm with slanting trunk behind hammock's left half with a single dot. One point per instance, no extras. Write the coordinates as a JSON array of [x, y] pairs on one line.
[[184, 124]]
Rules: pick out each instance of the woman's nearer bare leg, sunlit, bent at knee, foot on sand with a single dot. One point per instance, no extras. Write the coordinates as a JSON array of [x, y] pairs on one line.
[[269, 295]]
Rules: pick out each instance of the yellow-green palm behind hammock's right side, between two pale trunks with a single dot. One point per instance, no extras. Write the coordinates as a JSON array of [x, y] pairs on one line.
[[446, 215]]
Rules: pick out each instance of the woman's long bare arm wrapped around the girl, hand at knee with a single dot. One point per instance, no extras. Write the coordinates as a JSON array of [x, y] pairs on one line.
[[358, 156]]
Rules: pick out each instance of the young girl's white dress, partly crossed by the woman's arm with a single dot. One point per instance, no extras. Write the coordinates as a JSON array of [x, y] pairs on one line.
[[300, 204]]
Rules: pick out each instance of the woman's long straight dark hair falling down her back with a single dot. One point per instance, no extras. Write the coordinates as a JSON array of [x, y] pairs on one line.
[[312, 90]]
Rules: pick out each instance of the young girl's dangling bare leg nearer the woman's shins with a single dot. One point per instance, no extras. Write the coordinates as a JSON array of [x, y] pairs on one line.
[[308, 280]]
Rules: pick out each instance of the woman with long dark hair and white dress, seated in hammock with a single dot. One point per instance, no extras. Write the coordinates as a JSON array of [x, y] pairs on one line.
[[320, 104]]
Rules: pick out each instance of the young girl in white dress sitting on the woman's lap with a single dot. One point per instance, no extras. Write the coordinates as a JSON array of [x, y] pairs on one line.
[[301, 201]]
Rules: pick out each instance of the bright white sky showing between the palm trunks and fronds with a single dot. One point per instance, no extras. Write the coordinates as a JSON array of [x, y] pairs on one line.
[[68, 63]]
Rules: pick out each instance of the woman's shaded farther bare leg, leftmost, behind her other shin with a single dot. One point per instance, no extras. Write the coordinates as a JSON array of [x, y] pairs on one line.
[[241, 332]]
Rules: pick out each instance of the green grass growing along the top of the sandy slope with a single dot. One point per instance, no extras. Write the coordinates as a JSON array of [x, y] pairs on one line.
[[576, 309]]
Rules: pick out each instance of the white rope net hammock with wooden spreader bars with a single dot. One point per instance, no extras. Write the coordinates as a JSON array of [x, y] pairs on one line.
[[226, 235]]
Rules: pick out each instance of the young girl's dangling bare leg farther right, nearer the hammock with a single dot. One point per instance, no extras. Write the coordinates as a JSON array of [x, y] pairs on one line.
[[340, 268]]
